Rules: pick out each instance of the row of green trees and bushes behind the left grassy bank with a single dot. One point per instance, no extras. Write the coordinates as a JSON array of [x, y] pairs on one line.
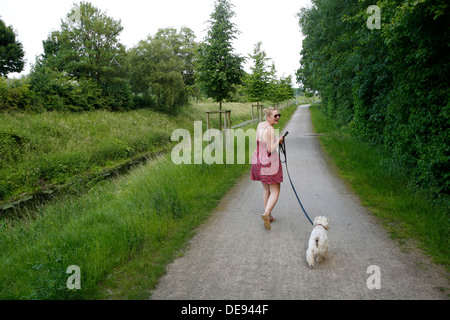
[[85, 67]]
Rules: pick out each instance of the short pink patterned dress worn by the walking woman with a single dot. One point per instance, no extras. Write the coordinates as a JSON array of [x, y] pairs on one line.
[[266, 166]]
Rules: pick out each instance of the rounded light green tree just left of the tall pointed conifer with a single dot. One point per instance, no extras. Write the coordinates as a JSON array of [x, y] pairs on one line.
[[162, 68]]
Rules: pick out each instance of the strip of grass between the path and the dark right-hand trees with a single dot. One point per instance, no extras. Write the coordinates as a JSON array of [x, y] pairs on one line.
[[382, 186]]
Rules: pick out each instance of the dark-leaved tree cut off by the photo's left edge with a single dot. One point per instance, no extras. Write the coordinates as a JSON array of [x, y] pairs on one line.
[[11, 51]]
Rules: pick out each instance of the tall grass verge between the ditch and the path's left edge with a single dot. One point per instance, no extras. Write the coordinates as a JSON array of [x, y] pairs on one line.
[[121, 233]]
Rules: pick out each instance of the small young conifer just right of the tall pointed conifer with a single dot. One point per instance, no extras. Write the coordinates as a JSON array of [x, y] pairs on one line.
[[257, 83]]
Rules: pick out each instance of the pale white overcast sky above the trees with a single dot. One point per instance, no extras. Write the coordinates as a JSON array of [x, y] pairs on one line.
[[270, 21]]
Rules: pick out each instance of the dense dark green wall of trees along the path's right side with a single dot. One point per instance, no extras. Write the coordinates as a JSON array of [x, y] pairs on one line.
[[383, 72]]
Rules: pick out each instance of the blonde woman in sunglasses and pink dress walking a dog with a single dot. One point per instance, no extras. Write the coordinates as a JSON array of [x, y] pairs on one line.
[[266, 165]]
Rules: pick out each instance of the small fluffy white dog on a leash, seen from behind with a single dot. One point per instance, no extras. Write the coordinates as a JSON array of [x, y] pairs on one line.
[[318, 241]]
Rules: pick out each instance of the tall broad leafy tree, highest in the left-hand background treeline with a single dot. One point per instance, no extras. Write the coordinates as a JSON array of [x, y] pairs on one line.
[[87, 47]]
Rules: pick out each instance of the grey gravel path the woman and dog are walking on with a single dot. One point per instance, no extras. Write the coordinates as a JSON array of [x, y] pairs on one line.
[[233, 257]]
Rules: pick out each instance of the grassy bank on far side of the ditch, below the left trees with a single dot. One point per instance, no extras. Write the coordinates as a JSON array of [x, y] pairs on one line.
[[54, 148]]
